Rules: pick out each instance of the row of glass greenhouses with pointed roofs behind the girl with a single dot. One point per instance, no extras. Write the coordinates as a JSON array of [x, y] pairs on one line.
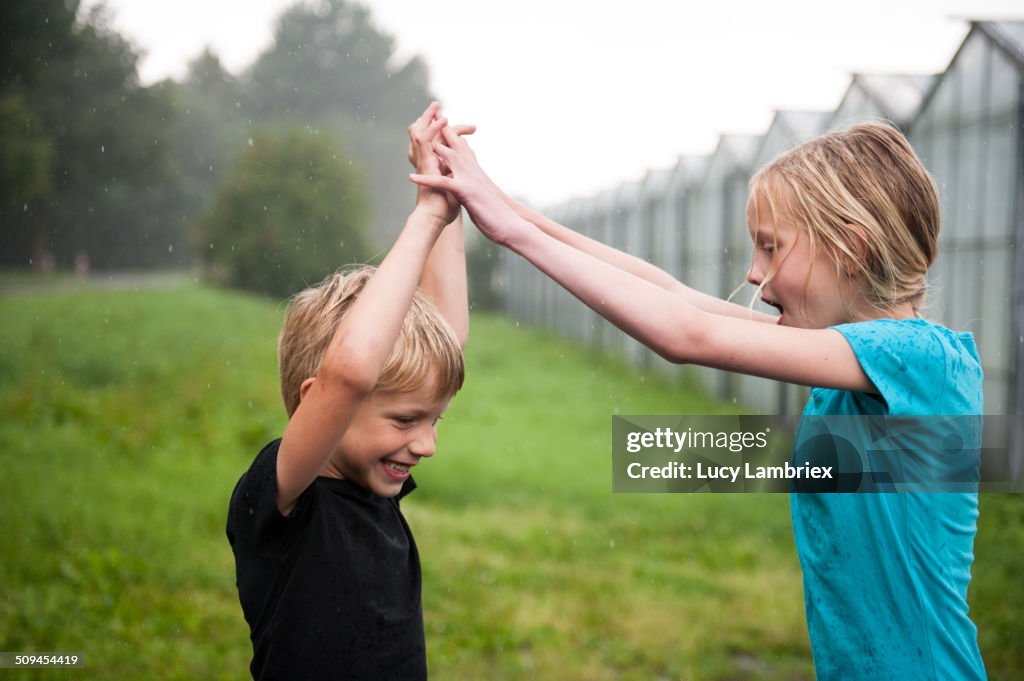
[[968, 126]]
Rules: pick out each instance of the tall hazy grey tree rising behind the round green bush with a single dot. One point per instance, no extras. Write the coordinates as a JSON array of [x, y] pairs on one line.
[[331, 68]]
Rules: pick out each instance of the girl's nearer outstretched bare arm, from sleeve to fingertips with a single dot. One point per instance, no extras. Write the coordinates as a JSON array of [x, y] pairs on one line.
[[677, 330]]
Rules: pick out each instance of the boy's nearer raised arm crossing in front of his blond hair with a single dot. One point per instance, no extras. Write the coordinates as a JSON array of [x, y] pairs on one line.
[[362, 344]]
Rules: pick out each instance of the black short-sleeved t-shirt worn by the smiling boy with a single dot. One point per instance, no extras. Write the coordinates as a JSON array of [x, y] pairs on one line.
[[333, 591]]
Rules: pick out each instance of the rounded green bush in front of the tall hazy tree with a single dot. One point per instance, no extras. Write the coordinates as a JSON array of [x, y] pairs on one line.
[[292, 211]]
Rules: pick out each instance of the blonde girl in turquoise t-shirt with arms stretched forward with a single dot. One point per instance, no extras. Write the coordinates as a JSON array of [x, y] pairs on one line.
[[845, 228]]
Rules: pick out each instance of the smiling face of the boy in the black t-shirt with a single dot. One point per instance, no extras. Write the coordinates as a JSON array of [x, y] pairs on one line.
[[390, 435]]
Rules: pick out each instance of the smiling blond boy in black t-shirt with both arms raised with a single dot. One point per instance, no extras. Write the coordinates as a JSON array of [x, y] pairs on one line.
[[327, 569]]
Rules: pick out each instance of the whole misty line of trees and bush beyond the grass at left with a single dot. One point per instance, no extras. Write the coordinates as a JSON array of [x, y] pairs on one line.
[[269, 179]]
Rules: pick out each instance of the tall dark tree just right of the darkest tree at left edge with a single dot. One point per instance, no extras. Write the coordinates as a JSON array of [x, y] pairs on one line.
[[112, 151]]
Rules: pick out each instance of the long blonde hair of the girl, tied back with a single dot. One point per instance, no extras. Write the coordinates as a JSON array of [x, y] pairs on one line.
[[866, 199]]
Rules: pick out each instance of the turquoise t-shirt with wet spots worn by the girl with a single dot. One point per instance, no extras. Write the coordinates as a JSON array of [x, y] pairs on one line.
[[886, 575]]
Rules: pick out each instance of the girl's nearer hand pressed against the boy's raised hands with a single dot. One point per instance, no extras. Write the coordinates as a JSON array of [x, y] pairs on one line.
[[467, 183]]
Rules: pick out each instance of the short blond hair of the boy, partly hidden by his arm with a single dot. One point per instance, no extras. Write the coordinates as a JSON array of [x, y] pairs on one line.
[[426, 350]]
